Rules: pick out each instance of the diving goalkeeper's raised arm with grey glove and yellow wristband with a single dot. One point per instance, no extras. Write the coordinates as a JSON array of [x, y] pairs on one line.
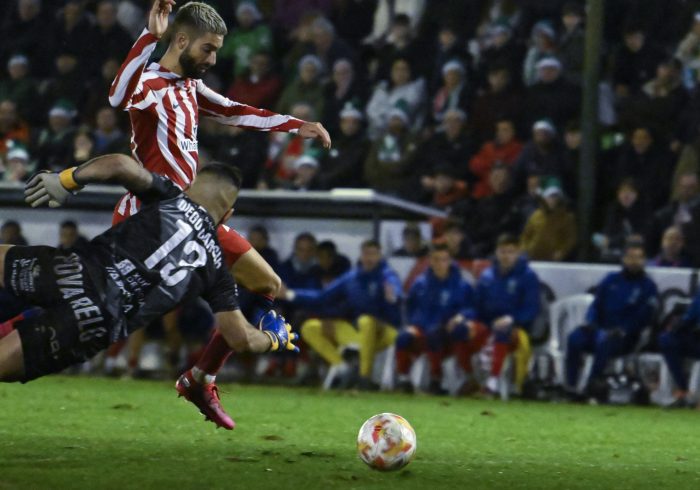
[[54, 187]]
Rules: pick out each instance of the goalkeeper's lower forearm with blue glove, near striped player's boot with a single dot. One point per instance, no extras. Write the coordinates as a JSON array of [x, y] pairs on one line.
[[274, 333]]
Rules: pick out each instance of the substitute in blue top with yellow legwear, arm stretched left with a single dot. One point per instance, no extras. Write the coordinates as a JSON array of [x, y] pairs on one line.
[[371, 293]]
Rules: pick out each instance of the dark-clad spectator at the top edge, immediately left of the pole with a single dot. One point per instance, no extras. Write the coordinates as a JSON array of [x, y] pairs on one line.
[[572, 40]]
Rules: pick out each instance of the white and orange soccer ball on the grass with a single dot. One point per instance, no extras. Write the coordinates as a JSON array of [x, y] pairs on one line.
[[386, 442]]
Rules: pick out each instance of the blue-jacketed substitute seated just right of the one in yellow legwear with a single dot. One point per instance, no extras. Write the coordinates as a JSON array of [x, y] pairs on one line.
[[436, 297]]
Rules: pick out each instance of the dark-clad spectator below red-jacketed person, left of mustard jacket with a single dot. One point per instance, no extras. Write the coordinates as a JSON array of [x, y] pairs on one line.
[[491, 216]]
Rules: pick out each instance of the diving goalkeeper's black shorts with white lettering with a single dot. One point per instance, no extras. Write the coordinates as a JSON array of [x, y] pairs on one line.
[[73, 326]]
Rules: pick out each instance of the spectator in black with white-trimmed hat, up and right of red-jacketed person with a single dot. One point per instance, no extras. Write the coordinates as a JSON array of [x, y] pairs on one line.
[[551, 96]]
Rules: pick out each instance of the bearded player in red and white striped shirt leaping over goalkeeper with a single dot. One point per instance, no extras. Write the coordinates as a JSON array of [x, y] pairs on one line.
[[165, 100]]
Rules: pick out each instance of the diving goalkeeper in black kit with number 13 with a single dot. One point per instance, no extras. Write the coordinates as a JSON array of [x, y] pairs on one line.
[[130, 274]]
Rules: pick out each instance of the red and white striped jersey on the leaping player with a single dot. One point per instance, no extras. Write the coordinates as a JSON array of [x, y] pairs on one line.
[[164, 109]]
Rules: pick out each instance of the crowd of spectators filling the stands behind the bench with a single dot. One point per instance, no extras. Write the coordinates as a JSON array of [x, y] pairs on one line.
[[470, 106]]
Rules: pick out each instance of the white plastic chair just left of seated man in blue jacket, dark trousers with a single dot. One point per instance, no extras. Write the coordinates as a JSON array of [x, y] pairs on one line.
[[565, 315]]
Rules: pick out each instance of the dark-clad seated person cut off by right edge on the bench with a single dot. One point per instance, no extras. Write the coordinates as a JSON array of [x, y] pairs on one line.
[[681, 341]]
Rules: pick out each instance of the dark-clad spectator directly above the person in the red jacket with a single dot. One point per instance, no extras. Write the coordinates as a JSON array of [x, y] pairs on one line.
[[501, 101]]
